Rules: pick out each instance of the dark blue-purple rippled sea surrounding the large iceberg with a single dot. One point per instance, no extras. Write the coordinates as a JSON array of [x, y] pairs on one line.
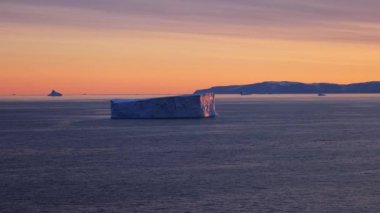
[[263, 153]]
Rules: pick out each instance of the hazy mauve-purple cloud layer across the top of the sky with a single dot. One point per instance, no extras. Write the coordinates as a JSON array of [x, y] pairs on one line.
[[334, 20]]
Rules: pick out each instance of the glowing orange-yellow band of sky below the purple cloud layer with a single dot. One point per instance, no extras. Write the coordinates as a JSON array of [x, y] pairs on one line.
[[35, 58]]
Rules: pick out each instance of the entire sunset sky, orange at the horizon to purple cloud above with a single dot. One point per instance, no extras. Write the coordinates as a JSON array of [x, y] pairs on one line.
[[178, 46]]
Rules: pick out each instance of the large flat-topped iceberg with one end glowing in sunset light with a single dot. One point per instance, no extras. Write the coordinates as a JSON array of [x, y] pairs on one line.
[[184, 106]]
